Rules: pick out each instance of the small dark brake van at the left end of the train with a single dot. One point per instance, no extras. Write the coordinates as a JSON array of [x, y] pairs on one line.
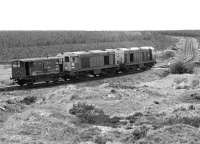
[[35, 70]]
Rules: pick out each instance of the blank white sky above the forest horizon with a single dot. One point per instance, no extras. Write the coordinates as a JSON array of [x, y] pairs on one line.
[[99, 14]]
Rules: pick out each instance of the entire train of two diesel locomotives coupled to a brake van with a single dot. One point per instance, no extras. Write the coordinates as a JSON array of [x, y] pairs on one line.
[[69, 65]]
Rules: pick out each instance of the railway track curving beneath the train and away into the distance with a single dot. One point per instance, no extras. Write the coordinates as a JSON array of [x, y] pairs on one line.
[[189, 46]]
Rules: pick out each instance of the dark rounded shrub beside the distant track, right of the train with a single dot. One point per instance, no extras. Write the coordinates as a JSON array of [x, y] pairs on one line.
[[180, 68]]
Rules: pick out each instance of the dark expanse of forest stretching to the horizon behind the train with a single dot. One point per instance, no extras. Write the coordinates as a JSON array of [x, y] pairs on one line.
[[26, 44]]
